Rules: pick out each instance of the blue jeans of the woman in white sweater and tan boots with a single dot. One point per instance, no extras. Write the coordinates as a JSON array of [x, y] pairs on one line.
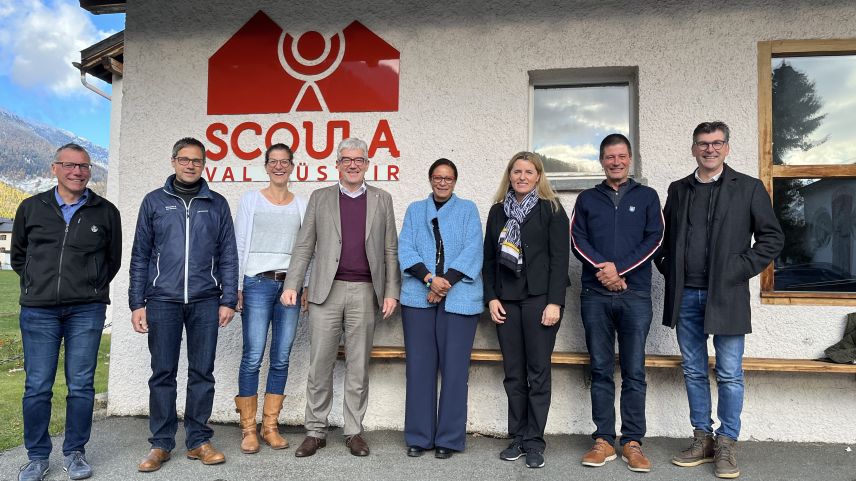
[[262, 309]]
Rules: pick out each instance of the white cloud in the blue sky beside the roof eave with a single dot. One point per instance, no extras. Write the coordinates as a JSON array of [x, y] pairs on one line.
[[40, 41]]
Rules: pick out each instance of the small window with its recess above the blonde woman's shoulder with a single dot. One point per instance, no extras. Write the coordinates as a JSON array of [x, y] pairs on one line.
[[571, 111]]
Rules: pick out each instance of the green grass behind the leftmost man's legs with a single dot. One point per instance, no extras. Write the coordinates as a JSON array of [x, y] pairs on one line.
[[12, 370]]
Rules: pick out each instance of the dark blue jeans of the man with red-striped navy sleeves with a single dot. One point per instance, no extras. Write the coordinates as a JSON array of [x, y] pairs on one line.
[[627, 314]]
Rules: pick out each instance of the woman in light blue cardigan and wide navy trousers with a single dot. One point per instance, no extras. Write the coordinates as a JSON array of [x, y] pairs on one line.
[[441, 299]]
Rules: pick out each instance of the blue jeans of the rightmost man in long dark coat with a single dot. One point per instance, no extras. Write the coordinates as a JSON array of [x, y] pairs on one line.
[[729, 368]]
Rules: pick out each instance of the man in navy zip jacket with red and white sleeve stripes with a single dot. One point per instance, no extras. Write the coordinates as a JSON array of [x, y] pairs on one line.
[[616, 228]]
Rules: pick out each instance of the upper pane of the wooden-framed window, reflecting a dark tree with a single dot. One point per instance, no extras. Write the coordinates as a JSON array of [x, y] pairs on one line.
[[813, 110]]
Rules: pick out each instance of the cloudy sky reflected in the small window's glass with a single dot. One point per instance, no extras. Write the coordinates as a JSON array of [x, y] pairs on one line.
[[569, 122]]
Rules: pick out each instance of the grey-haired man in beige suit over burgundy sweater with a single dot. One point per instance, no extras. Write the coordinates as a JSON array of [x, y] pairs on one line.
[[350, 229]]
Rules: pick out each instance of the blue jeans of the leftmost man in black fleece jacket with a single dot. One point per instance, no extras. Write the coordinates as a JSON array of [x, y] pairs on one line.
[[43, 329]]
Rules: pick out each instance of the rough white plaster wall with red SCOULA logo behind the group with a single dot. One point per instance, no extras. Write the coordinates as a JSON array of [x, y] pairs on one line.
[[460, 80]]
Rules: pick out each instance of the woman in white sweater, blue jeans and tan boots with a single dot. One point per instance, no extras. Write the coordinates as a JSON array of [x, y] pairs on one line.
[[266, 229]]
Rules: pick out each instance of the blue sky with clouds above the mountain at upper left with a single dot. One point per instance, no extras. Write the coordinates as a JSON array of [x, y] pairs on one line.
[[38, 41]]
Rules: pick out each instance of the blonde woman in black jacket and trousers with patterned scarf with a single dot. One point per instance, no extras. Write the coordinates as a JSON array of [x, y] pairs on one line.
[[526, 253]]
